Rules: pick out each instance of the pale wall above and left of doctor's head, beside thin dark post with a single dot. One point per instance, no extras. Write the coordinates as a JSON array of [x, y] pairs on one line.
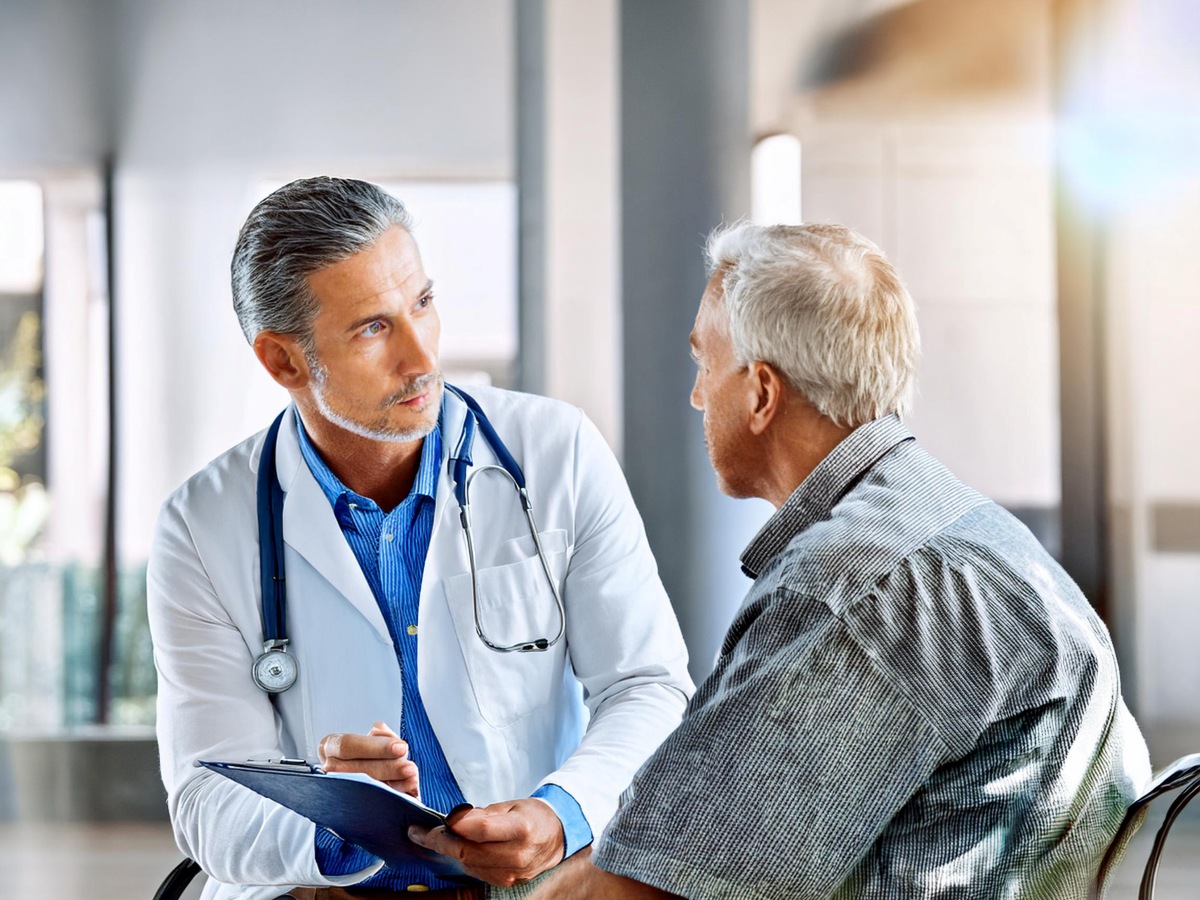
[[218, 98]]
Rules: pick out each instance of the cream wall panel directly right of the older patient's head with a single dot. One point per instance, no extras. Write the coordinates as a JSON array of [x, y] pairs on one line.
[[965, 213]]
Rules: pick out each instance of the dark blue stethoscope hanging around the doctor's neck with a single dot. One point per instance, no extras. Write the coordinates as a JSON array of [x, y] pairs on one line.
[[275, 669]]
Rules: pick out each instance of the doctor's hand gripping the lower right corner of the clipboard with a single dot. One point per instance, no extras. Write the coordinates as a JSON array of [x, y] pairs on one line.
[[505, 844]]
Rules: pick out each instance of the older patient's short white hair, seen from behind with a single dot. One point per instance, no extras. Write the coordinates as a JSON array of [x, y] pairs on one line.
[[826, 309]]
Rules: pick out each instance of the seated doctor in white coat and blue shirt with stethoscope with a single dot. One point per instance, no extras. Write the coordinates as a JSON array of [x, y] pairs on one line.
[[391, 664]]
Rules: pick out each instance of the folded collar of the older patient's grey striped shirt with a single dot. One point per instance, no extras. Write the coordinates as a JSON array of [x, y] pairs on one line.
[[820, 493]]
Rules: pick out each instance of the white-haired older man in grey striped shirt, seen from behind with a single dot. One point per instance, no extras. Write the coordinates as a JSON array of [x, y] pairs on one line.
[[914, 700]]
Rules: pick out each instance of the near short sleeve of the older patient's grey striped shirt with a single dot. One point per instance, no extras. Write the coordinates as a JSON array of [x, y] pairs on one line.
[[793, 759]]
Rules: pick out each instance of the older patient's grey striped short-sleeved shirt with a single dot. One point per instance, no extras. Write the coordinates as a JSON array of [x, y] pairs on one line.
[[914, 701]]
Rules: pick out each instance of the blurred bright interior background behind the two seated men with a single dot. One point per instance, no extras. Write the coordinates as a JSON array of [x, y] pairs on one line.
[[1033, 167]]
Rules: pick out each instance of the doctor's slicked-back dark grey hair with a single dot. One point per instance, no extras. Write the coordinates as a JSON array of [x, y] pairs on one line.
[[304, 226]]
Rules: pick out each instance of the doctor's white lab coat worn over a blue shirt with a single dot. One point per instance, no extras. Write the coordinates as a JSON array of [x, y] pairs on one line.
[[584, 716]]
